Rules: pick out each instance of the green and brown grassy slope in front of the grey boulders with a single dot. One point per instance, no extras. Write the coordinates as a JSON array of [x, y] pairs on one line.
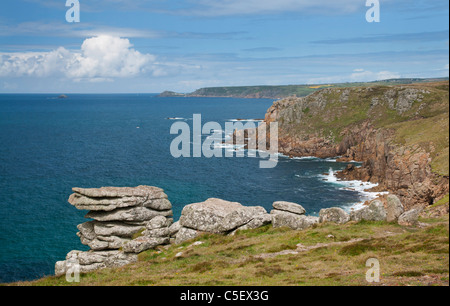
[[408, 256]]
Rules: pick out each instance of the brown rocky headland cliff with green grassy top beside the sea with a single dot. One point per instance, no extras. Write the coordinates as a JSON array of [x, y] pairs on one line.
[[400, 133]]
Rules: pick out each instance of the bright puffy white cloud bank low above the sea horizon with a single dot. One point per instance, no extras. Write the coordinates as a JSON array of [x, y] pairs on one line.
[[101, 57]]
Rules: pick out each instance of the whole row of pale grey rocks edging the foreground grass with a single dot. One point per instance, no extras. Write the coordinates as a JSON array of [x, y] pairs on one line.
[[128, 221]]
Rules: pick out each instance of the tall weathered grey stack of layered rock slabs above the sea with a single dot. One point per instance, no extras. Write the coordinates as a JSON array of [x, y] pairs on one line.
[[126, 222]]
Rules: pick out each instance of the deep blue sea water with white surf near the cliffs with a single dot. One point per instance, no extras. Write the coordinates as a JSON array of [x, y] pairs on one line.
[[49, 145]]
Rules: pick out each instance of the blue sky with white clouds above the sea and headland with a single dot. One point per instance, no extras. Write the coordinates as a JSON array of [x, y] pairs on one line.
[[155, 45]]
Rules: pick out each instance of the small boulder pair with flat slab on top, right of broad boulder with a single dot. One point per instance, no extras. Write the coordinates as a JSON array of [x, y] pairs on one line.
[[292, 215]]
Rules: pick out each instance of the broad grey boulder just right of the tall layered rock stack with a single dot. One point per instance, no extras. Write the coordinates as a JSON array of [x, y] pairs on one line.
[[219, 217]]
